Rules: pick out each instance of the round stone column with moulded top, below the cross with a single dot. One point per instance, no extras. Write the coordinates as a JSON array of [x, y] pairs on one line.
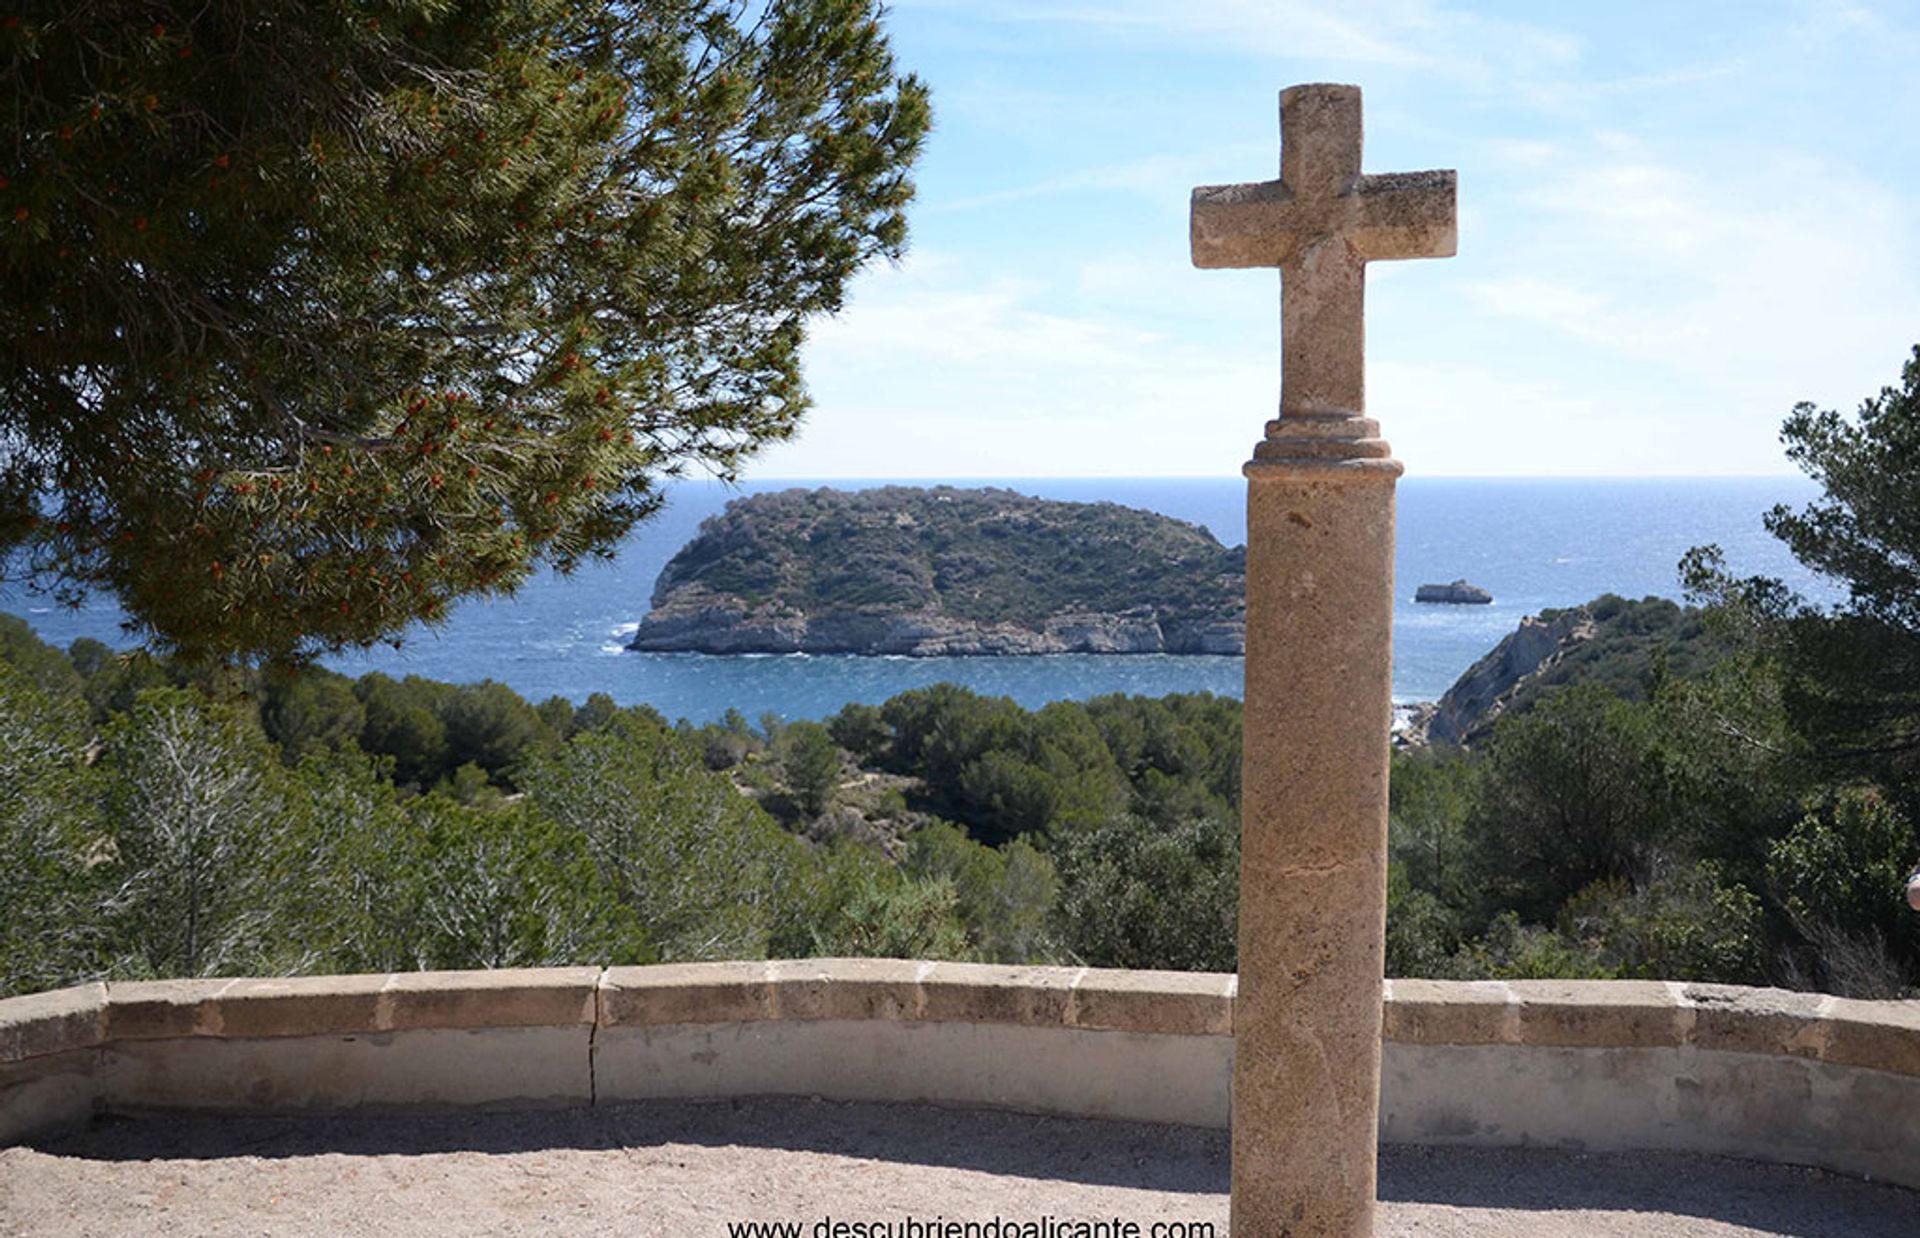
[[1320, 604]]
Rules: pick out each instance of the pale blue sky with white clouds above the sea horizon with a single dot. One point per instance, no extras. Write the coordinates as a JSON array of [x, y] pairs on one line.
[[1675, 224]]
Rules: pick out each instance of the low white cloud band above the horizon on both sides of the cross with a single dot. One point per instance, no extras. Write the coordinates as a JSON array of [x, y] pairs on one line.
[[942, 369]]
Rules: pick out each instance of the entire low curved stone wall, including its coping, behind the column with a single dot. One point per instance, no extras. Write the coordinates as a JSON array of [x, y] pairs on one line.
[[1587, 1064]]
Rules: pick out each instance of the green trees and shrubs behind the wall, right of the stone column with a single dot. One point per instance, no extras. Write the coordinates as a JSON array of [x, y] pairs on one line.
[[1748, 809]]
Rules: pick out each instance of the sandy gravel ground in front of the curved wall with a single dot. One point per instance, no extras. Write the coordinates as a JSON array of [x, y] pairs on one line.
[[688, 1170]]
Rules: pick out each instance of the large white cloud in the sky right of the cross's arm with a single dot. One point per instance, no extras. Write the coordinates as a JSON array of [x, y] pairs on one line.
[[1752, 287]]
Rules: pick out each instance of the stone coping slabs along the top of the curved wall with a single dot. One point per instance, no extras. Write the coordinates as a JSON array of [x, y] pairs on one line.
[[1568, 1014]]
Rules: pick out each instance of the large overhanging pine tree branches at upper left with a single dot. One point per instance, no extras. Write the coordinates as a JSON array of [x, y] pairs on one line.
[[325, 316]]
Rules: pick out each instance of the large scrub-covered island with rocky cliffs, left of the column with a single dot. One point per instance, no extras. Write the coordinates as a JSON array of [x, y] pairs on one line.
[[946, 573]]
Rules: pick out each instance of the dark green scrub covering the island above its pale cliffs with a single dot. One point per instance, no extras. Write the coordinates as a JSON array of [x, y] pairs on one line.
[[986, 556]]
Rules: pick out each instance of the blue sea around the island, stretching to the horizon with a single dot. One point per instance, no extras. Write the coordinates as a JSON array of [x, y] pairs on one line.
[[1533, 544]]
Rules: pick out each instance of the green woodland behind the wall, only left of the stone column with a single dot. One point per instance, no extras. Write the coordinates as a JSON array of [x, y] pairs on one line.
[[162, 821]]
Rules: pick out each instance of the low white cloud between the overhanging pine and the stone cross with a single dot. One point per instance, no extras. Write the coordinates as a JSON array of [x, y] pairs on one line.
[[946, 371]]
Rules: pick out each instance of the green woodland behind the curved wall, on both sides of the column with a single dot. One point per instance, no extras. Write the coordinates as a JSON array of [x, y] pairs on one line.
[[164, 822]]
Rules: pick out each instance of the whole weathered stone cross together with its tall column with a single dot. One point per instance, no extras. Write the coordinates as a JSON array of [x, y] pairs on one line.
[[1320, 607]]
